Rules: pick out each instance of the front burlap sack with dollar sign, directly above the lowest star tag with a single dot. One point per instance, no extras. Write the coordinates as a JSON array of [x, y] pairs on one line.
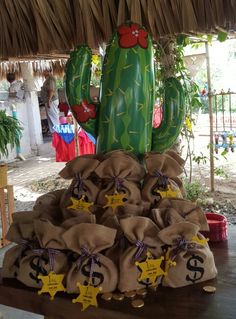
[[88, 241]]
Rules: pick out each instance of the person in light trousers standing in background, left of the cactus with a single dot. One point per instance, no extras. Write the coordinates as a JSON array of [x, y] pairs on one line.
[[49, 97]]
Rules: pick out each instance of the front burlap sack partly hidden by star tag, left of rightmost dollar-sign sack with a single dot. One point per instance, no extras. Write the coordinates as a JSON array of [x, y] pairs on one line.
[[141, 233]]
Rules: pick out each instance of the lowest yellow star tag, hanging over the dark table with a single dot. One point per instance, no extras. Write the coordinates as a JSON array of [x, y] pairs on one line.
[[88, 295]]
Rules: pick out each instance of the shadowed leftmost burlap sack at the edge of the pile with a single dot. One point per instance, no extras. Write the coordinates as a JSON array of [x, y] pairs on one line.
[[24, 235]]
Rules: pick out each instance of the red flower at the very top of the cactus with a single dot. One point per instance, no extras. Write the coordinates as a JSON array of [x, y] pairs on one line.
[[130, 36]]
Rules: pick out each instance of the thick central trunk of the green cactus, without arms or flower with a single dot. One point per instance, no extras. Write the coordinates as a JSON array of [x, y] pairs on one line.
[[127, 98]]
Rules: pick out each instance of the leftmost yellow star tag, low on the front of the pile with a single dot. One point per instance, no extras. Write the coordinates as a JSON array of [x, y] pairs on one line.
[[52, 283]]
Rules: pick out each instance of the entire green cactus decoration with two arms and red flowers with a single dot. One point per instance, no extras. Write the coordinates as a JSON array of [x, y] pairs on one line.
[[123, 120]]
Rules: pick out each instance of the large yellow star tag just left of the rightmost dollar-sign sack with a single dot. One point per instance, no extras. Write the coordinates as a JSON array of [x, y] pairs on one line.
[[151, 268]]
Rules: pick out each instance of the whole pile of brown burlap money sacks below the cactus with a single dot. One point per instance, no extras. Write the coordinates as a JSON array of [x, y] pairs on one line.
[[103, 245]]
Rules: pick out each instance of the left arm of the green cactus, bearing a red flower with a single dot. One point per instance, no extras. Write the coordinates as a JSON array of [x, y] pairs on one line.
[[77, 82]]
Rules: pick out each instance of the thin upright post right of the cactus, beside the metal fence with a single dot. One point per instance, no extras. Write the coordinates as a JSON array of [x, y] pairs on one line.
[[212, 184]]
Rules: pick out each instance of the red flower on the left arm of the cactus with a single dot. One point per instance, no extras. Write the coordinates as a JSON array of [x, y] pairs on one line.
[[84, 111]]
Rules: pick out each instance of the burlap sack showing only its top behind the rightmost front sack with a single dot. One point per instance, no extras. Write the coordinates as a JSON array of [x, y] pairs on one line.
[[187, 209]]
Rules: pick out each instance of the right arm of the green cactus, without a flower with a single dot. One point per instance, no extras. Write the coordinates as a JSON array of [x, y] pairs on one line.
[[166, 134]]
